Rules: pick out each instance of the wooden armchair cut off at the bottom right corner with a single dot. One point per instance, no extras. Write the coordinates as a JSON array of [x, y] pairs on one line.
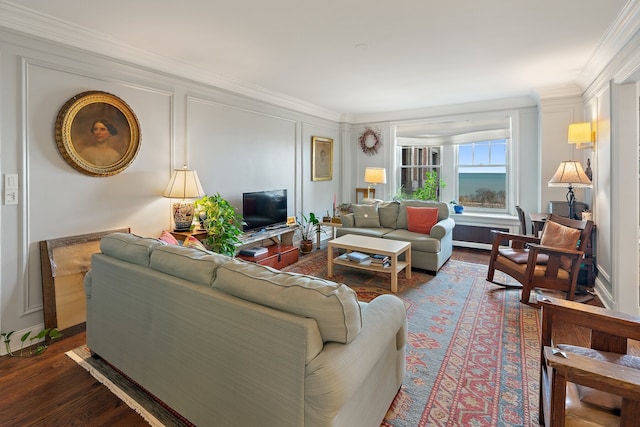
[[599, 384]]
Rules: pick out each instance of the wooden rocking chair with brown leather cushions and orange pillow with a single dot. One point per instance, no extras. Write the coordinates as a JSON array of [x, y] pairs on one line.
[[550, 262]]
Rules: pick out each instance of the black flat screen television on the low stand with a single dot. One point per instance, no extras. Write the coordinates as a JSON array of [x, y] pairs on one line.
[[264, 209]]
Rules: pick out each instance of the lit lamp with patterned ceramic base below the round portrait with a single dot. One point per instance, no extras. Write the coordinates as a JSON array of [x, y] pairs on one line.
[[184, 184]]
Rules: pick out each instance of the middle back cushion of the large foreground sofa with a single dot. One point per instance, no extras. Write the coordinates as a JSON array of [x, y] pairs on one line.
[[194, 265]]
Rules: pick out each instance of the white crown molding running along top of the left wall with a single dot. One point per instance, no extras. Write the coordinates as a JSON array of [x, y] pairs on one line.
[[18, 19]]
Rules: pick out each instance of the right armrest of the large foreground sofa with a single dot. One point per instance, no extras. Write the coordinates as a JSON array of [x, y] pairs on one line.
[[339, 370]]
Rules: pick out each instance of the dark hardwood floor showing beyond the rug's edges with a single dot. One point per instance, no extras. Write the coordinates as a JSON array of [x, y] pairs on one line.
[[51, 389]]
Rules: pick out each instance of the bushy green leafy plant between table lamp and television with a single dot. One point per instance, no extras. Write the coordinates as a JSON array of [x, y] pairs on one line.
[[222, 222]]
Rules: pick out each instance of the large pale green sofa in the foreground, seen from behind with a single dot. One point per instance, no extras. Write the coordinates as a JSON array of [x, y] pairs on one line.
[[230, 343]]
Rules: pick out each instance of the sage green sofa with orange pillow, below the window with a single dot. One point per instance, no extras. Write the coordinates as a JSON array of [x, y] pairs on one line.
[[388, 220]]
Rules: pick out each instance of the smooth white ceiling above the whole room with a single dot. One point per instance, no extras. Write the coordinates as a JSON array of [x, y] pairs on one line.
[[346, 56]]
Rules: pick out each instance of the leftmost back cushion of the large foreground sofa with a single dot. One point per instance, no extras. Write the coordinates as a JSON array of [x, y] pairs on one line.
[[129, 247]]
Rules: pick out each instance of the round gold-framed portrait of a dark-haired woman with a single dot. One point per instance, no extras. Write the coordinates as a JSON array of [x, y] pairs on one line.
[[78, 140]]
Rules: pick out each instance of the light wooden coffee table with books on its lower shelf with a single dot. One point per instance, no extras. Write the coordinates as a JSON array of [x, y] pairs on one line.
[[372, 245]]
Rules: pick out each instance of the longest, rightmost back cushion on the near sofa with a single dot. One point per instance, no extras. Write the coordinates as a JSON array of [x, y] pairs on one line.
[[334, 306]]
